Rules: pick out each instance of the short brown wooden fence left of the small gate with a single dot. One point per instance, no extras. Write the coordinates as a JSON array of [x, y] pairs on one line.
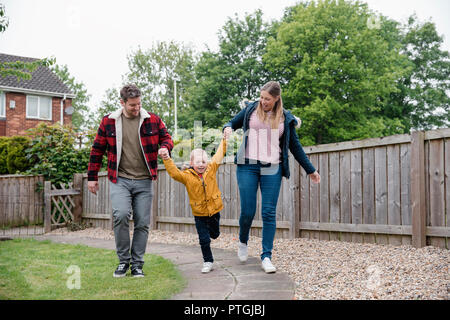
[[21, 205]]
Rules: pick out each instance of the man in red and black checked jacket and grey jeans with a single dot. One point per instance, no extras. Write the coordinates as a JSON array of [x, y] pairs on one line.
[[132, 139]]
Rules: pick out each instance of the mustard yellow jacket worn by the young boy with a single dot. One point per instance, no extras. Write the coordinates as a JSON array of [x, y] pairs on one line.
[[205, 197]]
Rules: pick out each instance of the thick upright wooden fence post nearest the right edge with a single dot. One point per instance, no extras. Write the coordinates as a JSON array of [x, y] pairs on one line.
[[417, 198]]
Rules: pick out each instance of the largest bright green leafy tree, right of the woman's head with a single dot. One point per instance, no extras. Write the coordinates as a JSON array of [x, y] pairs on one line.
[[337, 70]]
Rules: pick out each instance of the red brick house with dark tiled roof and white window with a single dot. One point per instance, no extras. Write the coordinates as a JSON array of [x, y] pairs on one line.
[[26, 103]]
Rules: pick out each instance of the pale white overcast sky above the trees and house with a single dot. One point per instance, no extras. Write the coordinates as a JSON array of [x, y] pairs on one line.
[[93, 37]]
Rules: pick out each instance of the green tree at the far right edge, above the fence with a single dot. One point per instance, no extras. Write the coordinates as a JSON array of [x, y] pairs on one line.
[[423, 97]]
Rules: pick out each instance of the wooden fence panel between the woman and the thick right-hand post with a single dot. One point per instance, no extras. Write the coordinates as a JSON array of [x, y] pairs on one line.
[[365, 190]]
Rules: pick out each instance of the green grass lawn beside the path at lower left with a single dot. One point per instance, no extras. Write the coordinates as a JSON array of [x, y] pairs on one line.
[[31, 270]]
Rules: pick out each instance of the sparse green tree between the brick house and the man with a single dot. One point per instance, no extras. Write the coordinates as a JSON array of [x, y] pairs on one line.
[[81, 114]]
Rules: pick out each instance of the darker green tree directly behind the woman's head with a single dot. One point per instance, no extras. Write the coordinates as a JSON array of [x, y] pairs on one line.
[[235, 72]]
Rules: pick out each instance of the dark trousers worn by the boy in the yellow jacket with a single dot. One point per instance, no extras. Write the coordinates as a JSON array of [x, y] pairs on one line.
[[207, 229]]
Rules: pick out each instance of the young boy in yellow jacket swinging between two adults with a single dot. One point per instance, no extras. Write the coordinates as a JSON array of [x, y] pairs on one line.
[[204, 195]]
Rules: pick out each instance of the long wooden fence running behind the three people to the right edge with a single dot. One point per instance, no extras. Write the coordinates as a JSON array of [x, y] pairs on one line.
[[390, 190]]
